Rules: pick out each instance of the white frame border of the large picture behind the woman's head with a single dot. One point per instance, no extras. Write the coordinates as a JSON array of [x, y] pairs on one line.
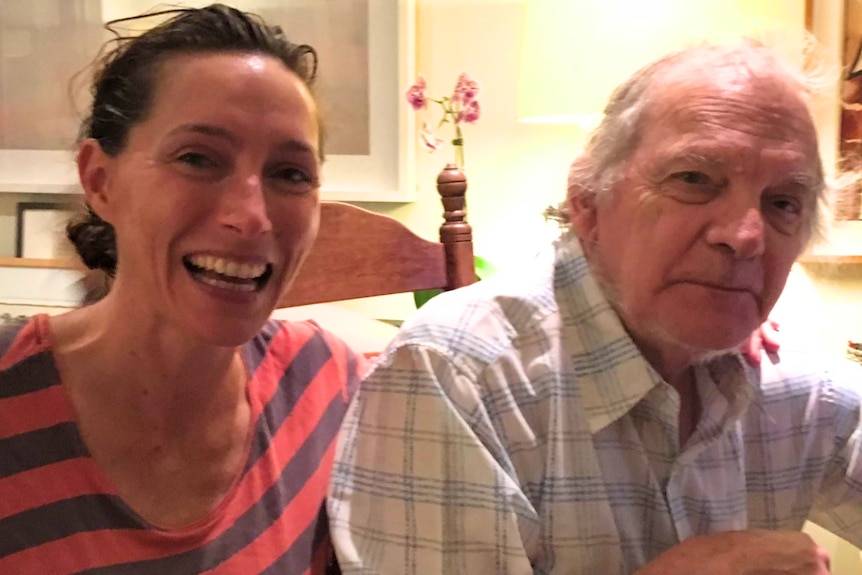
[[383, 173]]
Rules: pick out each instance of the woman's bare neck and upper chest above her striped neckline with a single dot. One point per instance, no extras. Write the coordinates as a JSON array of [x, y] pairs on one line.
[[165, 418]]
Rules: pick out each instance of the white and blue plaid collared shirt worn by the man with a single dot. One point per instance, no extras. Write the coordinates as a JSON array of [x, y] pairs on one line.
[[513, 427]]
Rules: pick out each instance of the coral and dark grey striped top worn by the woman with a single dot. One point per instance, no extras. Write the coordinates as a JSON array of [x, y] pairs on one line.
[[59, 514]]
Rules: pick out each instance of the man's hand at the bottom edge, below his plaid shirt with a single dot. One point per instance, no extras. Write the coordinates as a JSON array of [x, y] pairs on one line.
[[751, 552]]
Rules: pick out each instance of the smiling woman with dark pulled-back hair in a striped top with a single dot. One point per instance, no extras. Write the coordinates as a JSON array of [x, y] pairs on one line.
[[171, 427]]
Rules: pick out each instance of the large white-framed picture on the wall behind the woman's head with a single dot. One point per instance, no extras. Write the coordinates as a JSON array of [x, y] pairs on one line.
[[366, 60]]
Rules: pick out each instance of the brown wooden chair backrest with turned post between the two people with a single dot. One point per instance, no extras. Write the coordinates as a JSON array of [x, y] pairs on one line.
[[359, 253]]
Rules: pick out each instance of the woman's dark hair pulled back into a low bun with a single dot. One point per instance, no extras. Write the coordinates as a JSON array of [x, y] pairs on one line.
[[124, 84]]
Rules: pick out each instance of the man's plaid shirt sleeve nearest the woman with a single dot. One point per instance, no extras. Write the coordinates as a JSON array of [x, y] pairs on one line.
[[414, 489]]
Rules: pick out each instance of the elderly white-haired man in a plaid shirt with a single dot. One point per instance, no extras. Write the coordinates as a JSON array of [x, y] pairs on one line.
[[589, 415]]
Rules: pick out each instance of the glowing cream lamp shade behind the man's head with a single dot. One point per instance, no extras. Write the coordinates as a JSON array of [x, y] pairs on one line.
[[577, 51]]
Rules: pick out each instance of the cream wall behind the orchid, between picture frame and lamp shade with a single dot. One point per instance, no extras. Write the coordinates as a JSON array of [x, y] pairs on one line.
[[514, 170]]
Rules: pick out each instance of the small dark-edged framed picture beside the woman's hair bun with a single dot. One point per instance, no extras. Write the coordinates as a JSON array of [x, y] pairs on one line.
[[41, 228]]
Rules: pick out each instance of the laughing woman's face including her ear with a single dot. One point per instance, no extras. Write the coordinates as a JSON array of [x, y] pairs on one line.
[[215, 196]]
